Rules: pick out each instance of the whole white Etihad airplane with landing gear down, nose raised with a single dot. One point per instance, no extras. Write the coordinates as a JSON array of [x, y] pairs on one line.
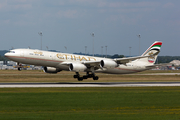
[[54, 62]]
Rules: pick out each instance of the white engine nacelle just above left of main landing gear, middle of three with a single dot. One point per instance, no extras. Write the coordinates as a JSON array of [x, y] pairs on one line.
[[77, 67]]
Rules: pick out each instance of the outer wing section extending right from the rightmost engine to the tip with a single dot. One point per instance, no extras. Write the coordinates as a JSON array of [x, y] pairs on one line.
[[126, 60]]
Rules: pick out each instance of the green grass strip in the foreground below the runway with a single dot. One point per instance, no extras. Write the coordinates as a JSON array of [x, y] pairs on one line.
[[148, 103]]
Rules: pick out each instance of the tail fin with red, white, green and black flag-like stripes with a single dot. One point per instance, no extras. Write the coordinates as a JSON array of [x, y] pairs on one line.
[[153, 50]]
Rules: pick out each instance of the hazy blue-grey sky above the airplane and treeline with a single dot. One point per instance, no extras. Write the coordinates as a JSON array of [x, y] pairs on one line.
[[67, 25]]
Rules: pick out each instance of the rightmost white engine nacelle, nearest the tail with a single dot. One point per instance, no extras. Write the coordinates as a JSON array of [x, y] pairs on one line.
[[108, 64]]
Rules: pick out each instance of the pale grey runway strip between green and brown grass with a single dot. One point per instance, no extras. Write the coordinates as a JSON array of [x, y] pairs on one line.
[[90, 84]]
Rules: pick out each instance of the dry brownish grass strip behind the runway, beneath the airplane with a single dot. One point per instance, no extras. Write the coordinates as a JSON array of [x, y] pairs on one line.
[[40, 76]]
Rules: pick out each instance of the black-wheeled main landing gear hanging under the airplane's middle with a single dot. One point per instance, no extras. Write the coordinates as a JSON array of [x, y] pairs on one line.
[[86, 76]]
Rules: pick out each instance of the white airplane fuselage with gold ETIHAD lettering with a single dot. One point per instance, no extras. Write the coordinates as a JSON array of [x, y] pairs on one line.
[[56, 60]]
